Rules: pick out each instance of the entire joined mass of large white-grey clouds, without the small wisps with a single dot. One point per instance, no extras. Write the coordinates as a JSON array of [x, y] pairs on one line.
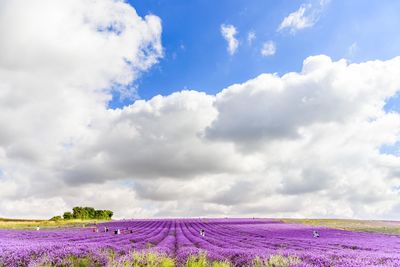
[[302, 144]]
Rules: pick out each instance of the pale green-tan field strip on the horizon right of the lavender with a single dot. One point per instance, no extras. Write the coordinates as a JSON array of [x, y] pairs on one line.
[[389, 227]]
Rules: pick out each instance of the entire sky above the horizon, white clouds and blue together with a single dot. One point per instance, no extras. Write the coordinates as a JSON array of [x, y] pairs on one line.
[[173, 108]]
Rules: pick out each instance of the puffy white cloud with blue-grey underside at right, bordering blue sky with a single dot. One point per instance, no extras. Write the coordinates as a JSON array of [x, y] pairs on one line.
[[280, 107]]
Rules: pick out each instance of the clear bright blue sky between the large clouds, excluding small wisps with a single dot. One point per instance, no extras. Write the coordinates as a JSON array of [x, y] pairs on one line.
[[196, 57]]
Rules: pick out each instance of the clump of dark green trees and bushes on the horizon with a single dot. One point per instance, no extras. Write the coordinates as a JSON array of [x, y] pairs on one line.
[[85, 213]]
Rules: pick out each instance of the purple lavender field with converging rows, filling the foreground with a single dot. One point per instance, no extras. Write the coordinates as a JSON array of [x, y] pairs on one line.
[[226, 242]]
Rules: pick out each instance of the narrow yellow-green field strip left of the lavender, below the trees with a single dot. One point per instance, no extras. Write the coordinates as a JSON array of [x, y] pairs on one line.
[[6, 223]]
